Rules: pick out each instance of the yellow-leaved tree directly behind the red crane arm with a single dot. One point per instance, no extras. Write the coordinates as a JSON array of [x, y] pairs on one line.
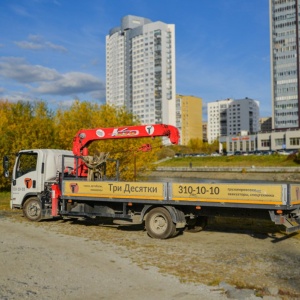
[[85, 115]]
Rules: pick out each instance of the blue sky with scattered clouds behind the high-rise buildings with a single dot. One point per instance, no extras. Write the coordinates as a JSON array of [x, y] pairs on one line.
[[54, 50]]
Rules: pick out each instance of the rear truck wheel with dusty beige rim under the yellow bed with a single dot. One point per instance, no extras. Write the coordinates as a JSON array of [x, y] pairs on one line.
[[159, 224]]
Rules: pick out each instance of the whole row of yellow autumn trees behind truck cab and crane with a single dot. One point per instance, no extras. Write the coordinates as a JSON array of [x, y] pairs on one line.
[[33, 125]]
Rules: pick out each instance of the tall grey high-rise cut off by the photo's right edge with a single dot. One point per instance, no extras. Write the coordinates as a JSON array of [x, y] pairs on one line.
[[284, 41]]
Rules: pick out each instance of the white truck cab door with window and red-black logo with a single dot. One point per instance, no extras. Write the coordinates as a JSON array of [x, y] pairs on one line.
[[25, 180]]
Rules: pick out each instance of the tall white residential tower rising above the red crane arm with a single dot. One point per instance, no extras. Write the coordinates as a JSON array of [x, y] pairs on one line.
[[140, 69]]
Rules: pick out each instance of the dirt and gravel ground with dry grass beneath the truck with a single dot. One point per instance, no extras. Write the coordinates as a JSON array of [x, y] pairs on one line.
[[75, 259]]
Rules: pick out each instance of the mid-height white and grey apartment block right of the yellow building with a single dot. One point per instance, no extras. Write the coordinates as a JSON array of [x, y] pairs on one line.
[[231, 117]]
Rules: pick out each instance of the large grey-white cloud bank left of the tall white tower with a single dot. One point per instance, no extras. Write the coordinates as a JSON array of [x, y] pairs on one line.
[[39, 80]]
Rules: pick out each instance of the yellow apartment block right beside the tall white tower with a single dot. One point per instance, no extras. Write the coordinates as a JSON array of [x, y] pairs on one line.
[[189, 118]]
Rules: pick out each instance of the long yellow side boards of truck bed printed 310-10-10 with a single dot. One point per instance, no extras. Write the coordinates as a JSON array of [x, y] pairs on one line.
[[250, 195]]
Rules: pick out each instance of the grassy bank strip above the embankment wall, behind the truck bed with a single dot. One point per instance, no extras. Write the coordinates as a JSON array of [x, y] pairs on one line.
[[232, 161]]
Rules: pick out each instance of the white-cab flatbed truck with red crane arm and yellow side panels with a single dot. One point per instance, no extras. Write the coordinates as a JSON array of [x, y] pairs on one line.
[[49, 183]]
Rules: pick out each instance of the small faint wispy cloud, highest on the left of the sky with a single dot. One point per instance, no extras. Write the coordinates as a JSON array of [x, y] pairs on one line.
[[36, 42]]
